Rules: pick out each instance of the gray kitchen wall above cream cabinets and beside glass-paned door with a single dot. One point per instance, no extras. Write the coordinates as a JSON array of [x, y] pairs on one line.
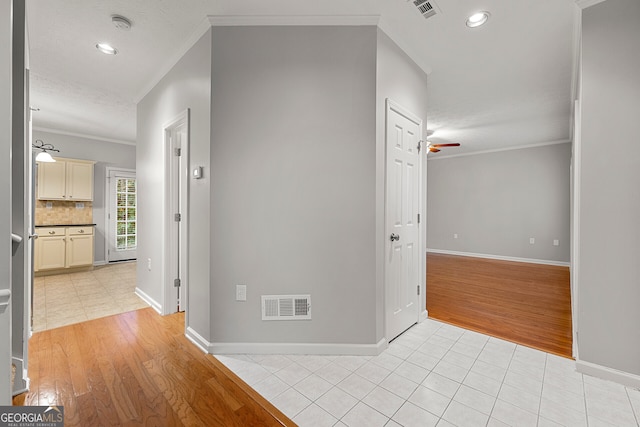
[[105, 154]]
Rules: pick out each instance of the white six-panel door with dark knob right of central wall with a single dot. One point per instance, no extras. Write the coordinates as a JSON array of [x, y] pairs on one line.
[[403, 257]]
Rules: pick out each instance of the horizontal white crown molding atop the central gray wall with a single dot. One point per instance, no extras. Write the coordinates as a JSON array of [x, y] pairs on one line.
[[292, 20]]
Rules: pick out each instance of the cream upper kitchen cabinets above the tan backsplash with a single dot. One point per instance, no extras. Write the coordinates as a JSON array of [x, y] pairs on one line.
[[65, 179]]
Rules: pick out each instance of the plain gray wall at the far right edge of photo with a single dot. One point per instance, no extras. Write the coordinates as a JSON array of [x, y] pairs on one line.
[[609, 271]]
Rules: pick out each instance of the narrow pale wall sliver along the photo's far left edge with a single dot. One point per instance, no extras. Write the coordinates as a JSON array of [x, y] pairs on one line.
[[6, 61]]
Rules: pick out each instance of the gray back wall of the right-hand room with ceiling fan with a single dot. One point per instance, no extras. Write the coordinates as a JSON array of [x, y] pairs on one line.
[[496, 201]]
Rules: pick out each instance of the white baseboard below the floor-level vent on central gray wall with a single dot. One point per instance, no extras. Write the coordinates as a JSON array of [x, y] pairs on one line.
[[299, 348]]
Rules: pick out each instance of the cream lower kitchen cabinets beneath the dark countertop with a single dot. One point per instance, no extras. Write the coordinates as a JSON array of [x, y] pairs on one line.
[[63, 247]]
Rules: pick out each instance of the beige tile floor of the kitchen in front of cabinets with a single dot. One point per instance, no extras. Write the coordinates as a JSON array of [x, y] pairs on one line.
[[65, 299]]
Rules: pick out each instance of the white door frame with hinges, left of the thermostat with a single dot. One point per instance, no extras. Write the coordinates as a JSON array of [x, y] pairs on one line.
[[176, 200]]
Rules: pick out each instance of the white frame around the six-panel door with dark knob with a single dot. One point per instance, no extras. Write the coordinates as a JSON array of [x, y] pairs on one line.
[[422, 313]]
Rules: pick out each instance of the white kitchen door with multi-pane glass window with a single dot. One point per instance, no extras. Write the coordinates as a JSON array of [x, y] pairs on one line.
[[122, 219]]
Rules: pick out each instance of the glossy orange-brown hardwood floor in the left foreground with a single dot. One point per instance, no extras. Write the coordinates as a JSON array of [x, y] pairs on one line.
[[138, 368]]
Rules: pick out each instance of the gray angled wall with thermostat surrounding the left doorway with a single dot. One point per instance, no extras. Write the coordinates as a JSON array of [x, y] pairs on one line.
[[187, 85]]
